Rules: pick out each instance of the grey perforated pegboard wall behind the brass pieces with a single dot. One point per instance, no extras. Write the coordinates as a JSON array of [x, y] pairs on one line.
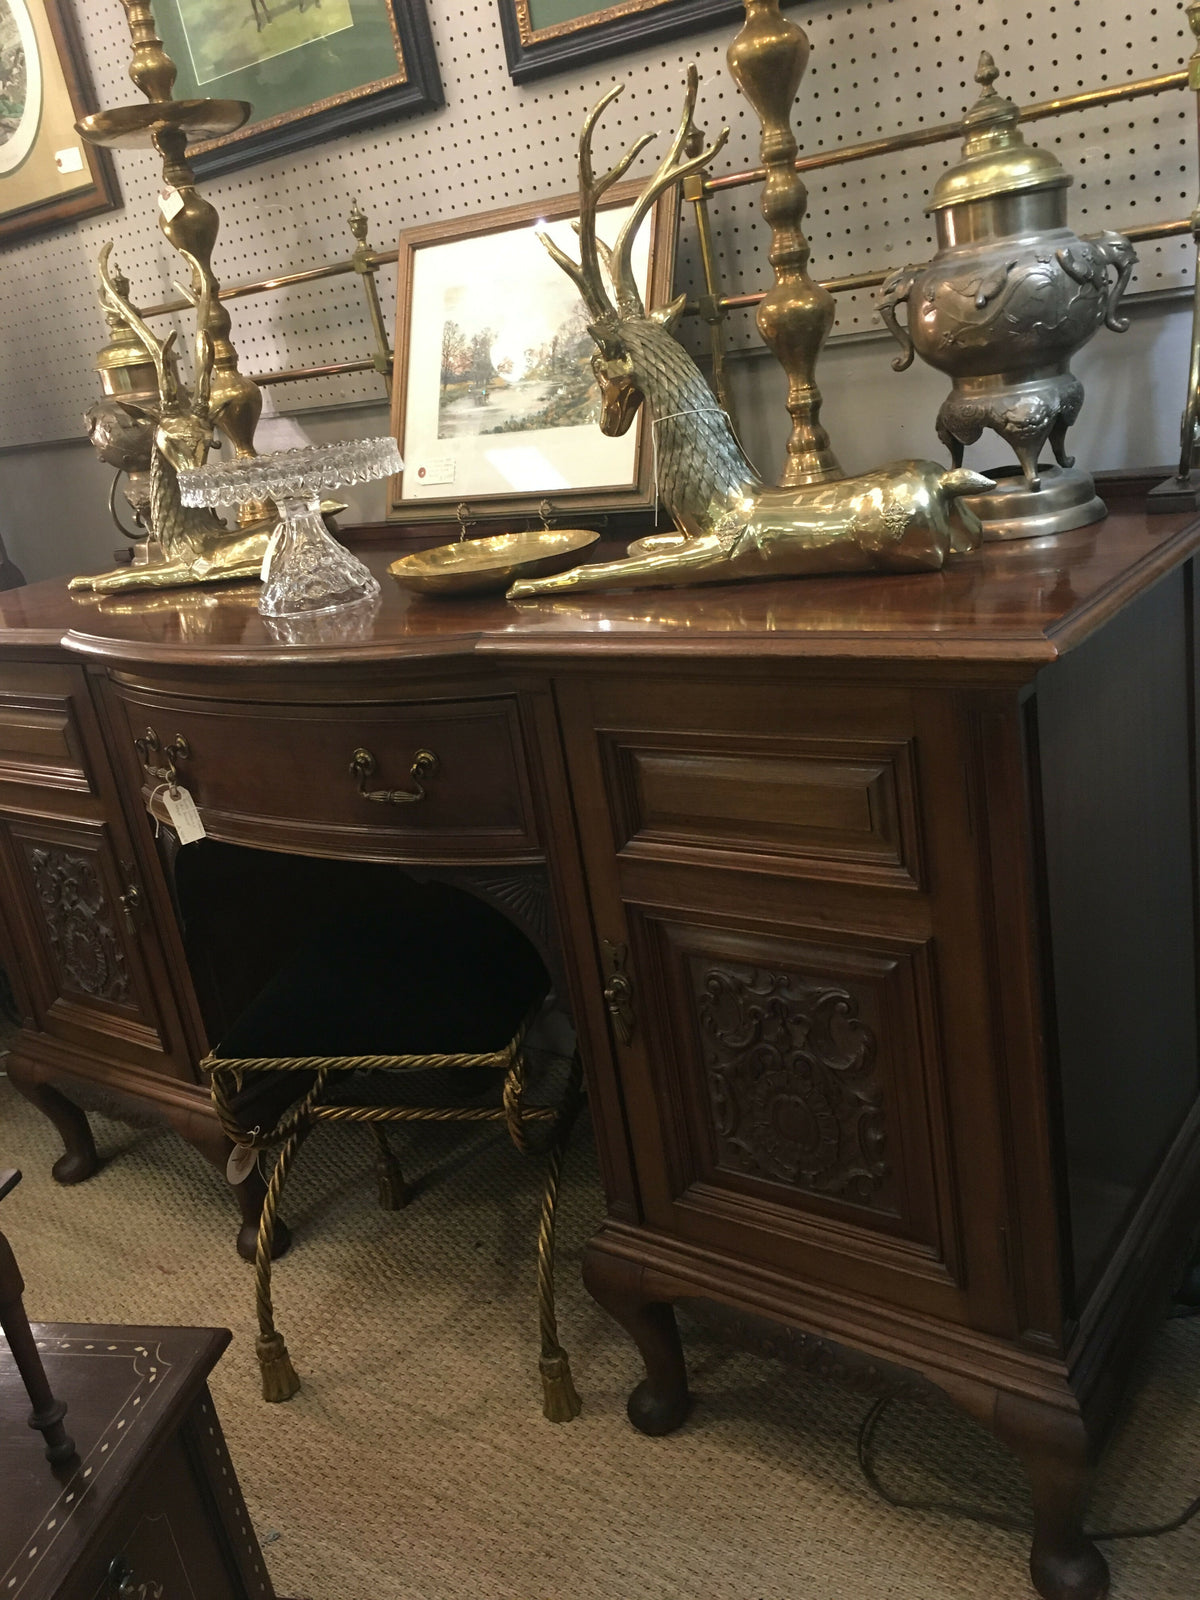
[[878, 68]]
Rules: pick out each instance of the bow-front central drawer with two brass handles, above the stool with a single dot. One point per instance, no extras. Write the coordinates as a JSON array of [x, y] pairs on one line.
[[398, 780]]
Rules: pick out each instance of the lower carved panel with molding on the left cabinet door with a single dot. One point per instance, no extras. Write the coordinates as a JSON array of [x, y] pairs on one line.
[[90, 959]]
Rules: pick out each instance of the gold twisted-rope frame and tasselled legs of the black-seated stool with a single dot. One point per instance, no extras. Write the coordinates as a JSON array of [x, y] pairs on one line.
[[561, 1402]]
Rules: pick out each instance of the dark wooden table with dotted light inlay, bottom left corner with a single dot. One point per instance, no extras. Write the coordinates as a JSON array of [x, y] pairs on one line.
[[151, 1508]]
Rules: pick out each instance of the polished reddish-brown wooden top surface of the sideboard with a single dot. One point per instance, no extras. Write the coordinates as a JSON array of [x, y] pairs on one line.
[[1022, 604]]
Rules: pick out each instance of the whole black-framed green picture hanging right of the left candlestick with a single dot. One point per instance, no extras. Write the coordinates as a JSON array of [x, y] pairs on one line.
[[311, 70]]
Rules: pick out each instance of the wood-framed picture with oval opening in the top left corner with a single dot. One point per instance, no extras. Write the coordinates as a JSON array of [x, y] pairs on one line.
[[47, 174]]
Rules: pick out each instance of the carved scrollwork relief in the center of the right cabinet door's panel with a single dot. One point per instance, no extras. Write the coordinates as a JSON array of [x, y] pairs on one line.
[[794, 1082]]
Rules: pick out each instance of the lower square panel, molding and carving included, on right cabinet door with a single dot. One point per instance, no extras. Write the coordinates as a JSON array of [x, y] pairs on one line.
[[802, 1097]]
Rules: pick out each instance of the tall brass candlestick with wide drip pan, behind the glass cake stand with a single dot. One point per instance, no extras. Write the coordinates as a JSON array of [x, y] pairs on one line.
[[188, 222]]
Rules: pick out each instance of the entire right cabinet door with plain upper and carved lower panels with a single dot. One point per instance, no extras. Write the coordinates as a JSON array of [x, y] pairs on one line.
[[785, 900]]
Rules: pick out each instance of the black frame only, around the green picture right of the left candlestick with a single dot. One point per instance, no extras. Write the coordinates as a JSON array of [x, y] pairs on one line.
[[335, 116]]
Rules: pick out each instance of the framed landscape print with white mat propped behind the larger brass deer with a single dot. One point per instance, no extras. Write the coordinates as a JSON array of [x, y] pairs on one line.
[[495, 406]]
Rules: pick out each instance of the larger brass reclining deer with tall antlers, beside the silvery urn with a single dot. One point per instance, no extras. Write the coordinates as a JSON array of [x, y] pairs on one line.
[[900, 519]]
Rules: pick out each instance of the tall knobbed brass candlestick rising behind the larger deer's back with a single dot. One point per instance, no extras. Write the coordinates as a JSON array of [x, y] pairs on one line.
[[769, 60]]
